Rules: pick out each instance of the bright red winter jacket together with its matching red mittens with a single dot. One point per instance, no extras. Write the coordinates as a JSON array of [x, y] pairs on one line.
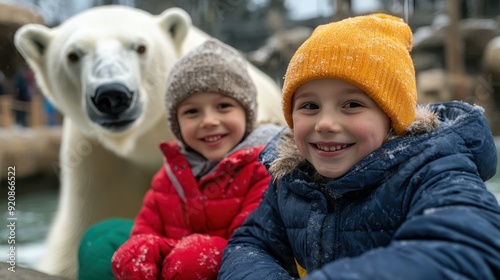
[[182, 236]]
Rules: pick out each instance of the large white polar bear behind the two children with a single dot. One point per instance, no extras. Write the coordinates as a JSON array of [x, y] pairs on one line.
[[105, 69]]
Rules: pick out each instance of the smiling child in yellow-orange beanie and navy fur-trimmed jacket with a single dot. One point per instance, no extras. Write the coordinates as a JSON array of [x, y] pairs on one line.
[[366, 183]]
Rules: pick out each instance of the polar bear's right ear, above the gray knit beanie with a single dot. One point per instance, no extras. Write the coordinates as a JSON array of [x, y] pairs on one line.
[[176, 23]]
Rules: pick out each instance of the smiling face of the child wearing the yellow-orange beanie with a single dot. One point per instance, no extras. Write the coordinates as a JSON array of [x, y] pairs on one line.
[[336, 125]]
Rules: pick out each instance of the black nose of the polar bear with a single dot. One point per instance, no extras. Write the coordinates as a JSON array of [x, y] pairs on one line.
[[112, 99]]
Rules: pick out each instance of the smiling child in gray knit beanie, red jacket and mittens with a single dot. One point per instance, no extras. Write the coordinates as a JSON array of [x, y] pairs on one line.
[[211, 179]]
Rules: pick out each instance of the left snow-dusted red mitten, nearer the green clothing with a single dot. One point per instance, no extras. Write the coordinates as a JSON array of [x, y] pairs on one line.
[[141, 257]]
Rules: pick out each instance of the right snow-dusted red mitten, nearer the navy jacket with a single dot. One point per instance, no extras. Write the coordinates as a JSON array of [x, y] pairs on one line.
[[197, 256]]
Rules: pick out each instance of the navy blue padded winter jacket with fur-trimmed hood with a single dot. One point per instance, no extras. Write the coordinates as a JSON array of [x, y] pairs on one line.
[[416, 208]]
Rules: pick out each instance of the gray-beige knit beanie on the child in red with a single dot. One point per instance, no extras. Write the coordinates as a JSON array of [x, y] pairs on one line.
[[211, 67]]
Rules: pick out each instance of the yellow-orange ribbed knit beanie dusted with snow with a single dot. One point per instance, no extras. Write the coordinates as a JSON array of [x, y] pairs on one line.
[[371, 52]]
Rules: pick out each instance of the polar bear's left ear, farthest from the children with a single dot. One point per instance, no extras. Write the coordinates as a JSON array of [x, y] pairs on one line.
[[31, 41]]
